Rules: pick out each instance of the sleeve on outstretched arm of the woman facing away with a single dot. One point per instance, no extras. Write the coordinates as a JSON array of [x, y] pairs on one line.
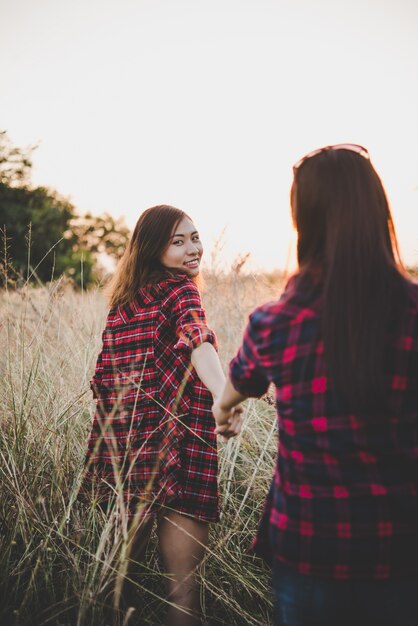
[[245, 370]]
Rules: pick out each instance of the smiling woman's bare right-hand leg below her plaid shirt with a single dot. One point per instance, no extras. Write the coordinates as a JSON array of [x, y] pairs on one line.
[[182, 541]]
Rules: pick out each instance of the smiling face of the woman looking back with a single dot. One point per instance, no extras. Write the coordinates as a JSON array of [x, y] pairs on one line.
[[184, 249]]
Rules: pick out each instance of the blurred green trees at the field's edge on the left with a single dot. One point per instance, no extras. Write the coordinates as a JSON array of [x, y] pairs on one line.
[[42, 236]]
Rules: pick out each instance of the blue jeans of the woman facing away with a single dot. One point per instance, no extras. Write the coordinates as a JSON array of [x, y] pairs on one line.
[[301, 600]]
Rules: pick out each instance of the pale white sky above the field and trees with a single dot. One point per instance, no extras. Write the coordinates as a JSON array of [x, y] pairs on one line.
[[206, 105]]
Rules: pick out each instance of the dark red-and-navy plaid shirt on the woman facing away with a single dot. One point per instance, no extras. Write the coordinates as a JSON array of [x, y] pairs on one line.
[[344, 498]]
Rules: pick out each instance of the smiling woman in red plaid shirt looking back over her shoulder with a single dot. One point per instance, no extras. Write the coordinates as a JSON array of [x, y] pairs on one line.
[[152, 448]]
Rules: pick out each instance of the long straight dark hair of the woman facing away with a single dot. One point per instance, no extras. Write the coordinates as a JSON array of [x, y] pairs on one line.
[[345, 228]]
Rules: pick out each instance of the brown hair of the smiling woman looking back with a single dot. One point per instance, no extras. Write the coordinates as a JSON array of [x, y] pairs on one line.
[[140, 264]]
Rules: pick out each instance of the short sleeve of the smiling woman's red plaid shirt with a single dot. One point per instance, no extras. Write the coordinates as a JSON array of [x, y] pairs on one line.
[[189, 319]]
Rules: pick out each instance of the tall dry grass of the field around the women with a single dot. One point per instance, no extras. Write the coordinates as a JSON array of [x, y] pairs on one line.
[[61, 559]]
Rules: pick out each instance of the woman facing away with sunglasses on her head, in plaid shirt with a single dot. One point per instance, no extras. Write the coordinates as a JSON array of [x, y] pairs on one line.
[[341, 346]]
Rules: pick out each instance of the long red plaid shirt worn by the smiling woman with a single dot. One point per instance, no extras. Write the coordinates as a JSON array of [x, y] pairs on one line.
[[152, 440]]
